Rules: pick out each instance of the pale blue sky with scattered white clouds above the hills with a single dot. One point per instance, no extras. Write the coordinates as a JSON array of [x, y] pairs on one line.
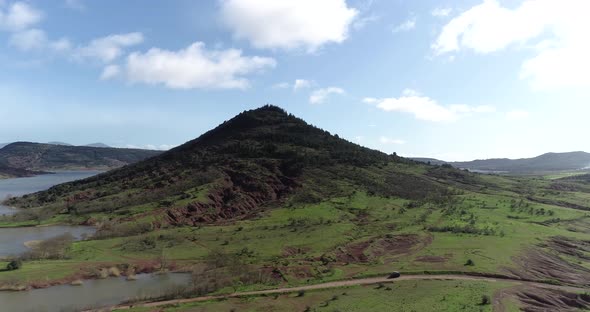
[[454, 80]]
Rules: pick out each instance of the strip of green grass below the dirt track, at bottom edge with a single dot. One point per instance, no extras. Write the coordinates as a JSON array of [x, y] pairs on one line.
[[398, 296]]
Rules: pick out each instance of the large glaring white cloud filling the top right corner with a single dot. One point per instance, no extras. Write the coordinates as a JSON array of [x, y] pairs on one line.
[[554, 31]]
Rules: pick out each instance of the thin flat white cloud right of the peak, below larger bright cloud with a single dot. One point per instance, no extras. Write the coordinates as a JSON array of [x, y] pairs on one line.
[[425, 108]]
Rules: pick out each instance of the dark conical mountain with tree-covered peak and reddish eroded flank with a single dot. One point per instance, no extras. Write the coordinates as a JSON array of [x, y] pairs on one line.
[[257, 159]]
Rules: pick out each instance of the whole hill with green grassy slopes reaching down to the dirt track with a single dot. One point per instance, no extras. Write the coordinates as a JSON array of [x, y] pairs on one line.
[[266, 200]]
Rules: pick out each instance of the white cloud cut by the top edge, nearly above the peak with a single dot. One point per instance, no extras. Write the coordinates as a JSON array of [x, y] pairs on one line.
[[288, 24]]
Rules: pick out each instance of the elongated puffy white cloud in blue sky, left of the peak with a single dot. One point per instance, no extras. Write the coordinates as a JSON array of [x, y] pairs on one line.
[[194, 67]]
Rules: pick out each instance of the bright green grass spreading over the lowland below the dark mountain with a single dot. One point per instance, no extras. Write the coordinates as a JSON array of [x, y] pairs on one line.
[[314, 243]]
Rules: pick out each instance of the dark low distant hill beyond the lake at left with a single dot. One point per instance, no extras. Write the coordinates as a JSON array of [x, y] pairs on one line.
[[47, 157]]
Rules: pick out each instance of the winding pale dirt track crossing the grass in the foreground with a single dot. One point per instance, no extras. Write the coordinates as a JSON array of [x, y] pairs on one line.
[[355, 282]]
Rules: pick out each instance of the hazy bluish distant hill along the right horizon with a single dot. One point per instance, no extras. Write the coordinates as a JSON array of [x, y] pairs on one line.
[[549, 162]]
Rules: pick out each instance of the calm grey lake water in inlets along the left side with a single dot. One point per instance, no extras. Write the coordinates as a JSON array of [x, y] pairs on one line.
[[92, 293]]
